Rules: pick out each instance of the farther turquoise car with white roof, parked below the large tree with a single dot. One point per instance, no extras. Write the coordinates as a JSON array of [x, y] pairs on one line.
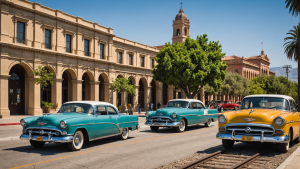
[[180, 113]]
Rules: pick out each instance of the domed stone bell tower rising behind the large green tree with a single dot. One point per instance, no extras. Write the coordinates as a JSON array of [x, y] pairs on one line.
[[181, 27]]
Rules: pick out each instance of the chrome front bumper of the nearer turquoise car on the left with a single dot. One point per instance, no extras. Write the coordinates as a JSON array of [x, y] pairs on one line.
[[62, 139]]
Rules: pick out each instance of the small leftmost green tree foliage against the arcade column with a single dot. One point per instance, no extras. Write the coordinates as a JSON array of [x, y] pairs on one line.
[[44, 77]]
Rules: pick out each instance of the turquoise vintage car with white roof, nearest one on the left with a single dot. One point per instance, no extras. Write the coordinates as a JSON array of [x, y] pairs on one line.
[[76, 122]]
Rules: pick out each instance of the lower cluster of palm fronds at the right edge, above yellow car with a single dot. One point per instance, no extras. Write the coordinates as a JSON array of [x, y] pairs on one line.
[[290, 45]]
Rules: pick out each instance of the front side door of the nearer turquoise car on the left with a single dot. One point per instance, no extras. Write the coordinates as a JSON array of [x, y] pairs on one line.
[[102, 126]]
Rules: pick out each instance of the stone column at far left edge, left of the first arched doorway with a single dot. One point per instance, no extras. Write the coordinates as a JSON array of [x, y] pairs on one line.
[[4, 90]]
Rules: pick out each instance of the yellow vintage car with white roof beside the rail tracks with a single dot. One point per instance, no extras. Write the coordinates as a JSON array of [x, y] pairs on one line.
[[261, 118]]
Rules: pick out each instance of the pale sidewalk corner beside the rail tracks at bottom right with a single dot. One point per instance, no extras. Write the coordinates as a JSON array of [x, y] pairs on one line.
[[292, 162]]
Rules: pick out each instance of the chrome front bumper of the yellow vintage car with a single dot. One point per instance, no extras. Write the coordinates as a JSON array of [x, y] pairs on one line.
[[262, 138]]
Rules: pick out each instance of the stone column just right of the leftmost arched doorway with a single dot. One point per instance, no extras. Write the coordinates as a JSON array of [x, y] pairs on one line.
[[34, 98]]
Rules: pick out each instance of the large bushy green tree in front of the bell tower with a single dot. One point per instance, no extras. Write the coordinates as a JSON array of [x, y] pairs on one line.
[[191, 65]]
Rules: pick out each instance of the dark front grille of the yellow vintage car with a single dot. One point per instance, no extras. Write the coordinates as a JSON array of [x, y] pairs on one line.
[[255, 129]]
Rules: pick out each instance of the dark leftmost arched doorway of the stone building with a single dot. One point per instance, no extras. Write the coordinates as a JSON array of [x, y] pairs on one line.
[[16, 93]]
